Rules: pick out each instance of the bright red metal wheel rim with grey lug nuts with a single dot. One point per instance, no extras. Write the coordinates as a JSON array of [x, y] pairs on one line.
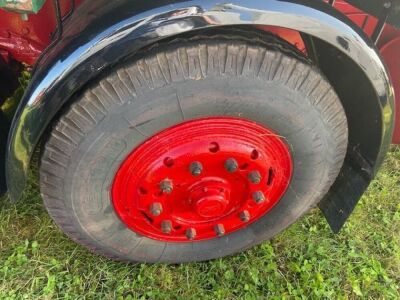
[[202, 179]]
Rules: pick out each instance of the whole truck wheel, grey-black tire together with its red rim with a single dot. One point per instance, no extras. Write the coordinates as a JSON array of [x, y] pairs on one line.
[[193, 150]]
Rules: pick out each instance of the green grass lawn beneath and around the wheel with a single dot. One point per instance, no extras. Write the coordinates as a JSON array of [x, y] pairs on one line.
[[306, 261]]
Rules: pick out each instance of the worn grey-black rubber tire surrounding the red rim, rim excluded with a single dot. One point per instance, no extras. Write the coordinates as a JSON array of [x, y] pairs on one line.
[[261, 80]]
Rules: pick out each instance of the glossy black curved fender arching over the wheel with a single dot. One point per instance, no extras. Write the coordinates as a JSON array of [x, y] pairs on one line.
[[102, 33]]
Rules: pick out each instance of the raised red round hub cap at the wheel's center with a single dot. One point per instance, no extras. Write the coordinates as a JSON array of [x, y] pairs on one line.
[[210, 197]]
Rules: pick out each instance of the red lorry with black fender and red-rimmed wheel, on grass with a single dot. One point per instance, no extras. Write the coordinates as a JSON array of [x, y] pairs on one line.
[[175, 131]]
